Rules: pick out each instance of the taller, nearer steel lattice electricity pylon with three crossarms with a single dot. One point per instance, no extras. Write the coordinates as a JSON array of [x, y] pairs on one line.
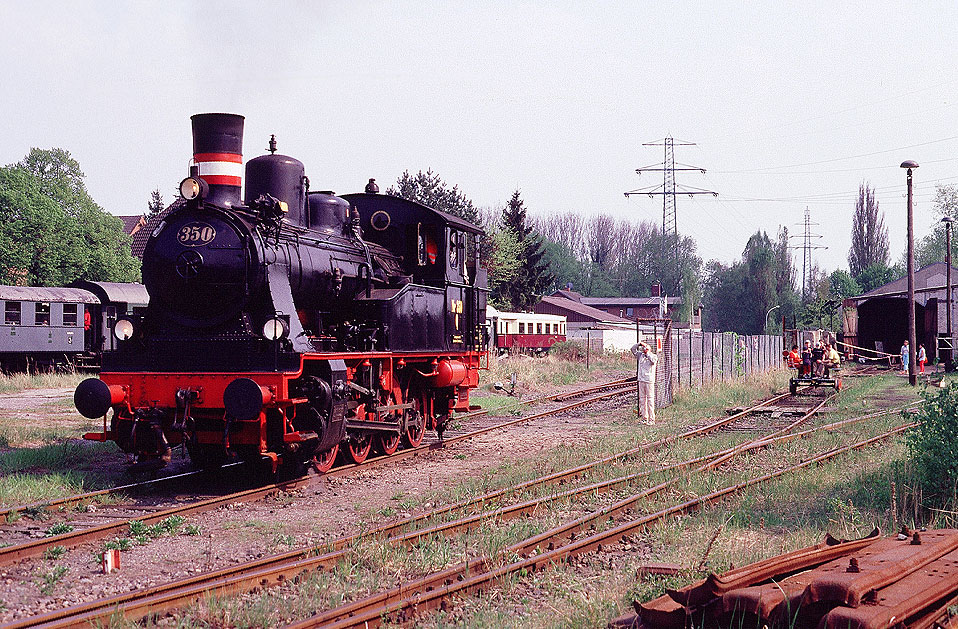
[[670, 232]]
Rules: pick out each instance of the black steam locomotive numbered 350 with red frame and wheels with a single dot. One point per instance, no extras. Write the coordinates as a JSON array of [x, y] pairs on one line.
[[291, 324]]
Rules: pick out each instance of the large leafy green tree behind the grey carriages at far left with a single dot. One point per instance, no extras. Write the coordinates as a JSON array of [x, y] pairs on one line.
[[52, 231]]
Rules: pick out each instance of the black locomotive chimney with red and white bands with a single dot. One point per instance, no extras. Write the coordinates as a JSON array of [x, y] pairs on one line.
[[218, 153]]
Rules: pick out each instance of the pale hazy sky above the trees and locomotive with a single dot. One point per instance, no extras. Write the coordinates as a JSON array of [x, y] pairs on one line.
[[787, 106]]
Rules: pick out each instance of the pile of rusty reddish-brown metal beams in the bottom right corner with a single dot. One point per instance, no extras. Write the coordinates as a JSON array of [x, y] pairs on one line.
[[905, 581]]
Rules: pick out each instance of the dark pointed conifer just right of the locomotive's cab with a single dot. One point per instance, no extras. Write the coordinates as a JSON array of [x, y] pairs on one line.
[[533, 274]]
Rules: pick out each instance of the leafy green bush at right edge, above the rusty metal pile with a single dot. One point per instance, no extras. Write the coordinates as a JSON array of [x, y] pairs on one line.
[[933, 445]]
